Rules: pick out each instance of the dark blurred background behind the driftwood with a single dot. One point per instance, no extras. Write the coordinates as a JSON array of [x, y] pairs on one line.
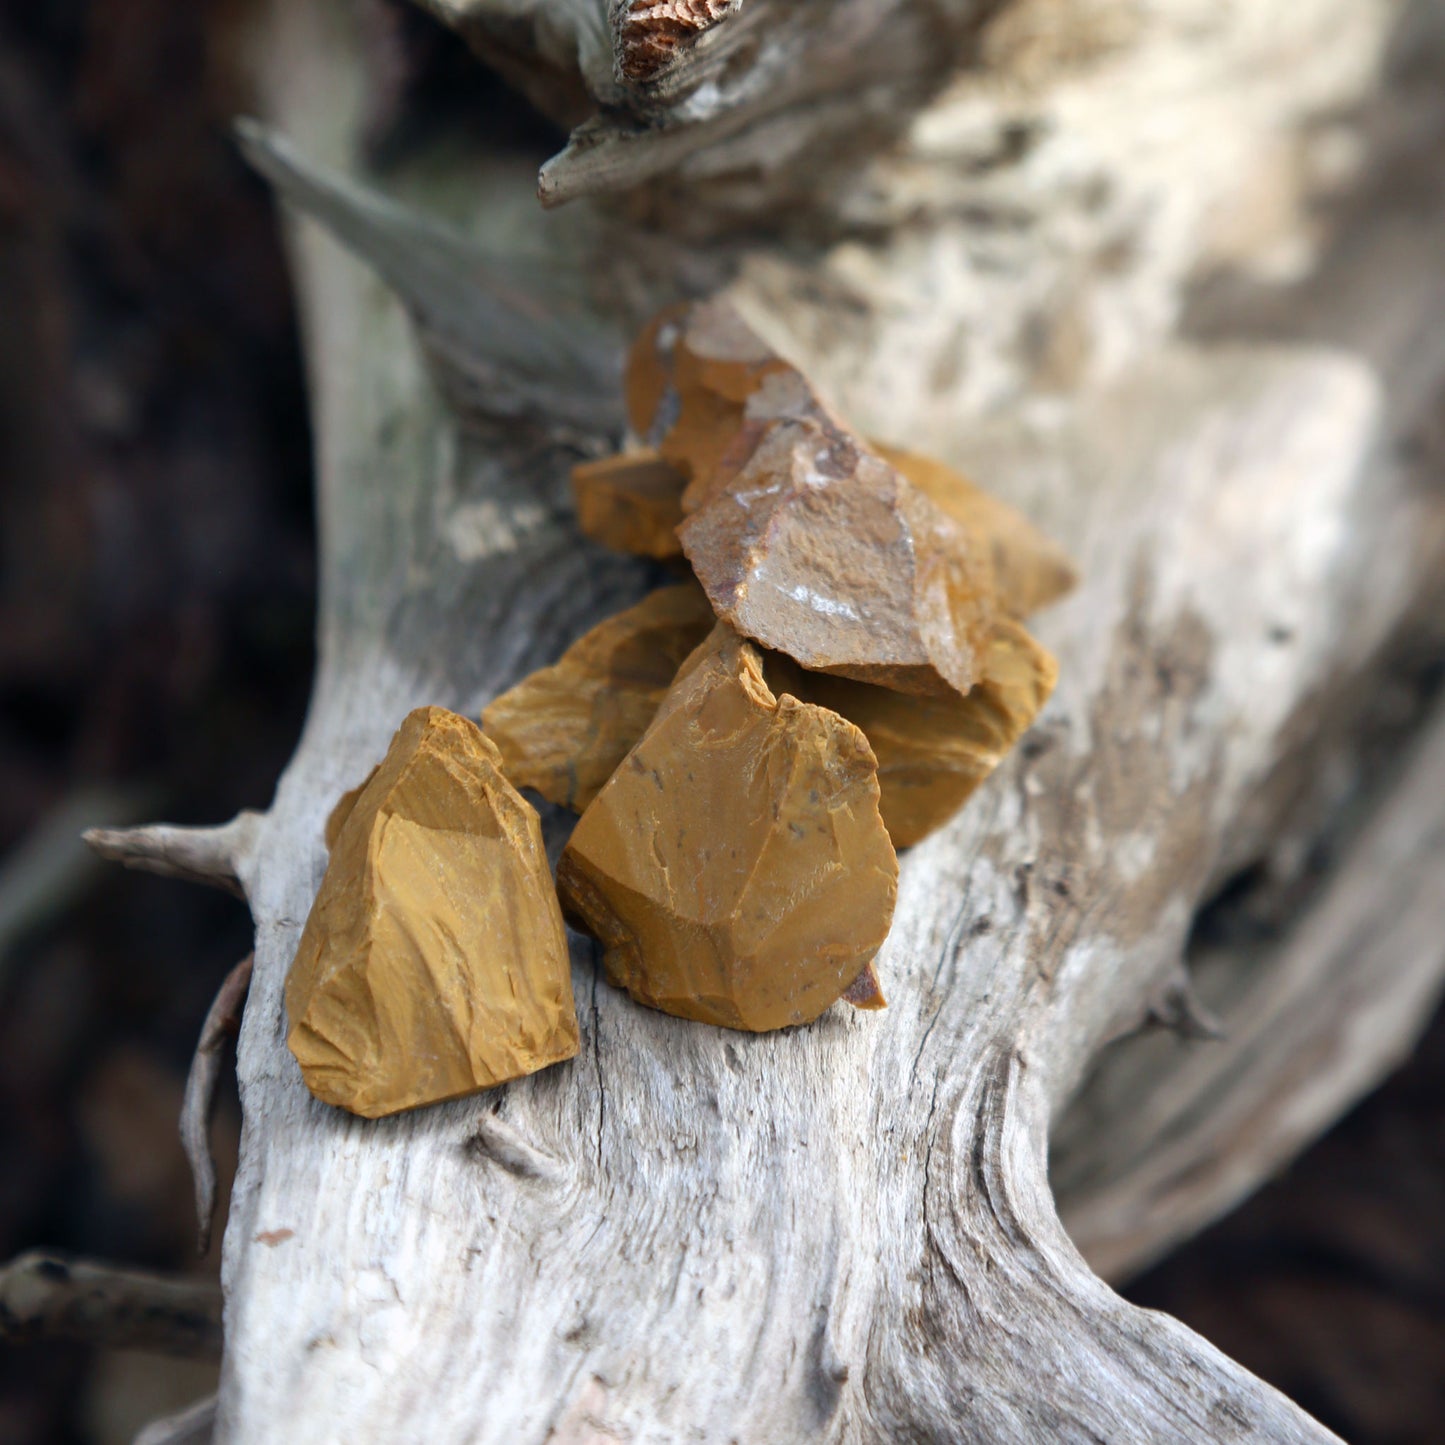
[[157, 595]]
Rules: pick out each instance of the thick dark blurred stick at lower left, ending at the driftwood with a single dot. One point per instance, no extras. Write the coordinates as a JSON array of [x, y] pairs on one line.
[[53, 1297]]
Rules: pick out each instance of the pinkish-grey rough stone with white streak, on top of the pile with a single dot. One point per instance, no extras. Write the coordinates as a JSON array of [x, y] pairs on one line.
[[817, 548]]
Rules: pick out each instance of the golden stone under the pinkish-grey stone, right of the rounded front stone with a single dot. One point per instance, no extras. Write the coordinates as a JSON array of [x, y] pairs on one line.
[[934, 752]]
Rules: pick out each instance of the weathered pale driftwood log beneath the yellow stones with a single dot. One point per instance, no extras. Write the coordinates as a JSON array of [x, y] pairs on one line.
[[1080, 249]]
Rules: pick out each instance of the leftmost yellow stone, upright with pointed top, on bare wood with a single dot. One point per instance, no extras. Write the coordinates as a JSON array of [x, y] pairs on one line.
[[434, 962]]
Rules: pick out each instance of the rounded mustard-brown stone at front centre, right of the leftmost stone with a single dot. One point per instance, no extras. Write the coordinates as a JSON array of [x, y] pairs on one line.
[[736, 869]]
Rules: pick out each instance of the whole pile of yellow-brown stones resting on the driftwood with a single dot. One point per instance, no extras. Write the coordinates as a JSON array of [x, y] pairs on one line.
[[842, 667]]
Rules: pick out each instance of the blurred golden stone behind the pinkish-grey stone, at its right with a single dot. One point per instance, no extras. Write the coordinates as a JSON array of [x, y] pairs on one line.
[[1031, 570]]
